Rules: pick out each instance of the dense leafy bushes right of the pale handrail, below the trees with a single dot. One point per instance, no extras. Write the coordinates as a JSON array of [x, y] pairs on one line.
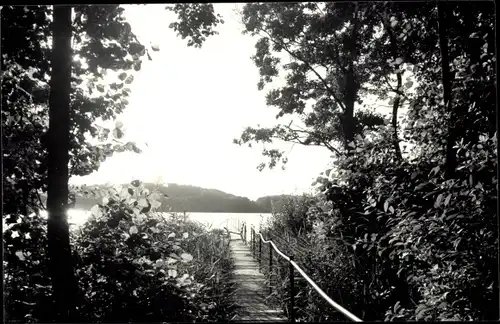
[[393, 240]]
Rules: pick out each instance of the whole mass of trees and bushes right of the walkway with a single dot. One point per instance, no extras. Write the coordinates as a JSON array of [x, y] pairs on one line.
[[404, 223]]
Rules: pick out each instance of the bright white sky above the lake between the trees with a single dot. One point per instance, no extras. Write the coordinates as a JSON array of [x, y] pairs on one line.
[[188, 104]]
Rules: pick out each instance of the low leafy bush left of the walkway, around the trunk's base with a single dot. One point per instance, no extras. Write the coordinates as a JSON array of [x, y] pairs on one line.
[[131, 265]]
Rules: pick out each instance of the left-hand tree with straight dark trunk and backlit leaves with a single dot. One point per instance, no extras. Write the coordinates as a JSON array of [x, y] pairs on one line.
[[56, 67]]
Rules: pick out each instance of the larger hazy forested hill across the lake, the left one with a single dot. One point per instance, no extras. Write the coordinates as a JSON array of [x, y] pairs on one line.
[[194, 199]]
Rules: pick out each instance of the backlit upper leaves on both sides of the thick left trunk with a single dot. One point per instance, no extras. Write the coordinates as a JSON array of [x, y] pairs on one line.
[[25, 77]]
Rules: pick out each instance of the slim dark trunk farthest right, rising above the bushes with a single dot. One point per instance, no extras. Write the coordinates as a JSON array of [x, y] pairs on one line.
[[451, 158]]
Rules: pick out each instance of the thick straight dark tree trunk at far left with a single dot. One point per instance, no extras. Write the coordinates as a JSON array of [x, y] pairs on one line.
[[59, 251]]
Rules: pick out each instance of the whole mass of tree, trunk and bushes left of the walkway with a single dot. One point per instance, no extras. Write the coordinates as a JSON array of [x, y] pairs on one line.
[[126, 263]]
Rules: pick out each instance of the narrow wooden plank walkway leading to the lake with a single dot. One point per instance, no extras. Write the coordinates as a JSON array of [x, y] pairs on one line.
[[251, 290]]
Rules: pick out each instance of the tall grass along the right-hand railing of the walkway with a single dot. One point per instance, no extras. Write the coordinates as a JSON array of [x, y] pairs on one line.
[[326, 264]]
